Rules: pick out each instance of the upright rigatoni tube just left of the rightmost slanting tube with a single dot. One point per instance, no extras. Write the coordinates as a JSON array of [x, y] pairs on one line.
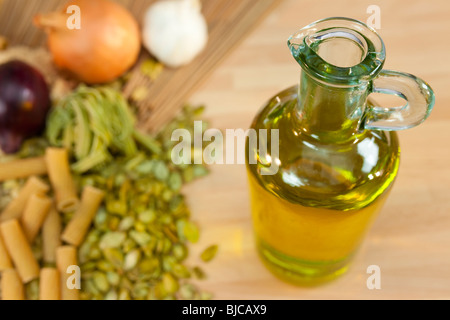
[[51, 235]]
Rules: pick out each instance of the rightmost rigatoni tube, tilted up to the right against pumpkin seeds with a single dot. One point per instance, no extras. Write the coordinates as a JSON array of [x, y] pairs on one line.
[[76, 229]]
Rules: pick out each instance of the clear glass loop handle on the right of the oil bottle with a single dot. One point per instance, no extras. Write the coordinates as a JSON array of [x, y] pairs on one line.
[[419, 102]]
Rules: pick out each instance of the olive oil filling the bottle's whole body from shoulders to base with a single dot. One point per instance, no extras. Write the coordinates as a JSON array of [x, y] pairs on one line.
[[311, 215]]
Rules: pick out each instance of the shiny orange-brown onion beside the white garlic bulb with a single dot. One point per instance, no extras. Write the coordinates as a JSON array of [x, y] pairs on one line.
[[105, 46]]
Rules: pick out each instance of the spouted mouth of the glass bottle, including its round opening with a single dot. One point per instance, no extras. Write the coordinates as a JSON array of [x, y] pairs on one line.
[[339, 50]]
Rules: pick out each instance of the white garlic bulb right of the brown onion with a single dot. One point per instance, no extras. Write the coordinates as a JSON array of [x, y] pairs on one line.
[[175, 31]]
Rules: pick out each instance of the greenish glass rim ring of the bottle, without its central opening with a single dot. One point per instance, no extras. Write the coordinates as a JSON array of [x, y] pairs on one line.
[[371, 64]]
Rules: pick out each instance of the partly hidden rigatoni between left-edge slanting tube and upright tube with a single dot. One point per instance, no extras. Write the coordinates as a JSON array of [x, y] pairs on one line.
[[34, 215]]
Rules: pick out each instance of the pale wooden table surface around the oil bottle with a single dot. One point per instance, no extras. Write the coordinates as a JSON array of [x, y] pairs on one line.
[[410, 240]]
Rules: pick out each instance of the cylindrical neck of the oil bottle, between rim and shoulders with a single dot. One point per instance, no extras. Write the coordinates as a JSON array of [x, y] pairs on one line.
[[328, 112]]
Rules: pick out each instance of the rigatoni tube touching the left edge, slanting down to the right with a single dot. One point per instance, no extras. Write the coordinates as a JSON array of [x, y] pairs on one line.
[[19, 250]]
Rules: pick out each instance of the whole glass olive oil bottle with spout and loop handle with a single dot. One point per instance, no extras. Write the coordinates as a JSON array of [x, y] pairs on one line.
[[325, 156]]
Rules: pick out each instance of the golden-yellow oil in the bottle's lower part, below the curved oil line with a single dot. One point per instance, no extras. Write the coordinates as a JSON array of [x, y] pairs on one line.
[[306, 245]]
